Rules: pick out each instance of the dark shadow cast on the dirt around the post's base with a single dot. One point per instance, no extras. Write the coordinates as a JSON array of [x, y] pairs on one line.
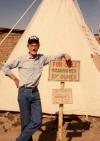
[[73, 126]]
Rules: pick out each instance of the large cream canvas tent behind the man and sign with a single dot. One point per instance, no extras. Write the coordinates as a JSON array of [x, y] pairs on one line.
[[61, 29]]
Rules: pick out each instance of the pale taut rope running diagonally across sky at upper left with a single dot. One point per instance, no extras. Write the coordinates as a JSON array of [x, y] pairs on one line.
[[18, 21]]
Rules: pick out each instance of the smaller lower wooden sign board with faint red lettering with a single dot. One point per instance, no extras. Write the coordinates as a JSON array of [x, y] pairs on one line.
[[62, 96]]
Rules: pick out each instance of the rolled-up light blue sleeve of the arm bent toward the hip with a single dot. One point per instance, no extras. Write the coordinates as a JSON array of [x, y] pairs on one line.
[[6, 68]]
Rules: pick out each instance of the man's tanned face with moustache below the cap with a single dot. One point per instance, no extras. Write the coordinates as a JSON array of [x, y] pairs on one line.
[[33, 48]]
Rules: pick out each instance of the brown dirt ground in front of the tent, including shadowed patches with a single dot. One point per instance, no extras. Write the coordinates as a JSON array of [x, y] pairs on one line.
[[75, 128]]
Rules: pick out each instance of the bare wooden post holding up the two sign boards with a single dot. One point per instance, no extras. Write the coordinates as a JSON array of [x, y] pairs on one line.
[[60, 123]]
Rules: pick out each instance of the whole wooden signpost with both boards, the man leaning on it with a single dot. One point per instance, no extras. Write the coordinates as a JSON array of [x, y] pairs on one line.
[[59, 71]]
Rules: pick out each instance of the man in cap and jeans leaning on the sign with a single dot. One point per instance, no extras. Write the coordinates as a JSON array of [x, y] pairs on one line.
[[30, 68]]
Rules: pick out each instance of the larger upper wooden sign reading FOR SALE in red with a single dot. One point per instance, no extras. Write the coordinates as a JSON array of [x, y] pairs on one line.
[[59, 71]]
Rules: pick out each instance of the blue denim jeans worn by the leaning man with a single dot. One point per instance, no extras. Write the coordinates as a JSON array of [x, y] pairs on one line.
[[30, 112]]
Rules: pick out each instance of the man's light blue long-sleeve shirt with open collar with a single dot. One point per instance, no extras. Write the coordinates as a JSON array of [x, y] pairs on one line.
[[30, 69]]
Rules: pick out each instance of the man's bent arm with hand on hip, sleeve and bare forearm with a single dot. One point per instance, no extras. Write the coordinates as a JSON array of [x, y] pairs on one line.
[[6, 69]]
